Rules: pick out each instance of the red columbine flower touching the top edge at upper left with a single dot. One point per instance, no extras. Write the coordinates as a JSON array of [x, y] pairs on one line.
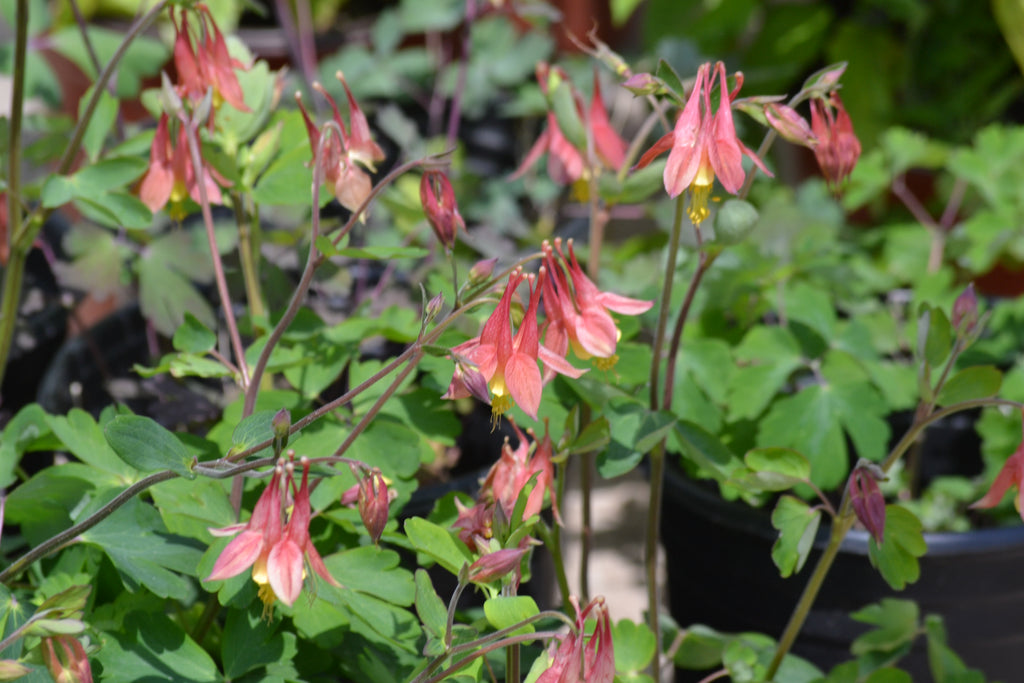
[[207, 65]]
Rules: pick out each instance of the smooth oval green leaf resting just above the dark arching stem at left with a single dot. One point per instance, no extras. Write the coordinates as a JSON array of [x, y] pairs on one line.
[[148, 447]]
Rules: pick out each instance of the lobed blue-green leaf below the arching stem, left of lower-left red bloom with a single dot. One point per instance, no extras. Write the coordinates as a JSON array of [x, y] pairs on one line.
[[137, 541]]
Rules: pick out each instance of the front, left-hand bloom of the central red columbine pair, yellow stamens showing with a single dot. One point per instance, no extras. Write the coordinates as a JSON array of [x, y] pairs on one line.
[[508, 363]]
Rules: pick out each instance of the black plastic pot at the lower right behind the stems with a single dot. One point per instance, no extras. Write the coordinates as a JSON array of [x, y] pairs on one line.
[[721, 575]]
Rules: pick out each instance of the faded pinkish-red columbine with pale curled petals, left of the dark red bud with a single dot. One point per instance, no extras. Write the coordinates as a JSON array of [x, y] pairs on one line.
[[343, 158]]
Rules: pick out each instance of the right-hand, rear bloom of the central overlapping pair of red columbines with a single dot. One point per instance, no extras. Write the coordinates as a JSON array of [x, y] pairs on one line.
[[578, 312]]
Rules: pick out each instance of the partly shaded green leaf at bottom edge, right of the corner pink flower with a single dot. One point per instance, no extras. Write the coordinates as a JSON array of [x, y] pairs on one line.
[[153, 648]]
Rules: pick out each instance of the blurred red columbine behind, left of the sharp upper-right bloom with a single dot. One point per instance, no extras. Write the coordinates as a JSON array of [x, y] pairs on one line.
[[567, 164]]
